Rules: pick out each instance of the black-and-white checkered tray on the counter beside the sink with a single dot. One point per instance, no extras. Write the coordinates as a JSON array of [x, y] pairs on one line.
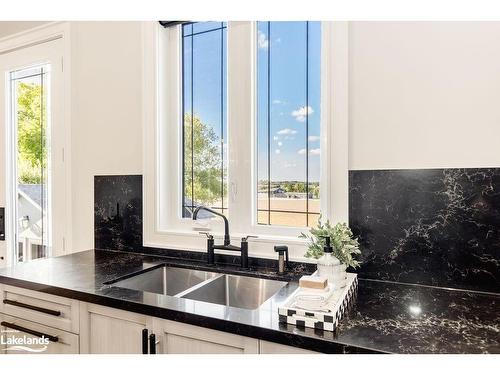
[[338, 304]]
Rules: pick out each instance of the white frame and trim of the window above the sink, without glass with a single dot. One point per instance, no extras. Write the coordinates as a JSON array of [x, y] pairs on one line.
[[162, 132]]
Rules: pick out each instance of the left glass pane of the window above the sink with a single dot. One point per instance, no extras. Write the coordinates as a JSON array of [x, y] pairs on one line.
[[204, 110]]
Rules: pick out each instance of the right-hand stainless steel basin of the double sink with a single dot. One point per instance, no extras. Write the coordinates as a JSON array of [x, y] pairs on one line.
[[236, 291]]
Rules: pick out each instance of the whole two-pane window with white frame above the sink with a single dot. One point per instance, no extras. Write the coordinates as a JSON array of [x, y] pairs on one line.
[[241, 118]]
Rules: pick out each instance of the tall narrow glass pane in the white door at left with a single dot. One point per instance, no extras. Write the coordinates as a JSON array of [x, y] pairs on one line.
[[30, 118]]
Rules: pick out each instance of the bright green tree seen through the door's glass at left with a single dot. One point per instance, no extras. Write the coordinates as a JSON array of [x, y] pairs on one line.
[[31, 133]]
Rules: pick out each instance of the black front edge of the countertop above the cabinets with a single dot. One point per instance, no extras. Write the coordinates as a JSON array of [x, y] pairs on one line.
[[285, 338]]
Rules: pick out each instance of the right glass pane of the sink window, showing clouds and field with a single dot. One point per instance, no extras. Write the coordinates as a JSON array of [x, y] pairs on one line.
[[288, 99]]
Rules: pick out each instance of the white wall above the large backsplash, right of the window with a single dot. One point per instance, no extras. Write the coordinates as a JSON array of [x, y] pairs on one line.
[[424, 94]]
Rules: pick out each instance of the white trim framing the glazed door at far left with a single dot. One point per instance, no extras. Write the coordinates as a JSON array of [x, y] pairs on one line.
[[63, 209]]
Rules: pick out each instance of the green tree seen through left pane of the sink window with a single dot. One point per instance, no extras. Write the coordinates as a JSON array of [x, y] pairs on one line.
[[202, 160]]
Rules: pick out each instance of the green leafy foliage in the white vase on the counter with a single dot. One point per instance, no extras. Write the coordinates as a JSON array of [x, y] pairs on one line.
[[345, 245]]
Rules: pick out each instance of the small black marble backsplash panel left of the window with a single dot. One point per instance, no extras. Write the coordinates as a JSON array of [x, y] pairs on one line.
[[118, 212]]
